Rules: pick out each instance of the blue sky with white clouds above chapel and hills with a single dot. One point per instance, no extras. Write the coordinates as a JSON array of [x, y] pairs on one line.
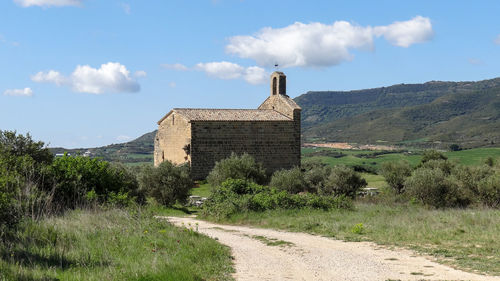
[[84, 73]]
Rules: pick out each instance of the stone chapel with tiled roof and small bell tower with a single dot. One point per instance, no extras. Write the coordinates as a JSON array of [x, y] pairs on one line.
[[201, 137]]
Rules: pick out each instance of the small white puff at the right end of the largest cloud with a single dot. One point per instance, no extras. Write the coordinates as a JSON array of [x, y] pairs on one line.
[[406, 33]]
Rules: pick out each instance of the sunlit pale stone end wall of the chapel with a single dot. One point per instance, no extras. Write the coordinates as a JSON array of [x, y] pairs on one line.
[[174, 133]]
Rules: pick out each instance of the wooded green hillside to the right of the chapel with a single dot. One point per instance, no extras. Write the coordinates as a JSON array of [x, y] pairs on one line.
[[432, 114]]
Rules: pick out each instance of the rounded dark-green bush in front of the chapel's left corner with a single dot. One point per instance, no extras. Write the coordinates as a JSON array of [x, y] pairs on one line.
[[167, 183]]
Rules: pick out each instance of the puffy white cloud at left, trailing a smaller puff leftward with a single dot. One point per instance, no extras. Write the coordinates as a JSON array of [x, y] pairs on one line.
[[110, 77]]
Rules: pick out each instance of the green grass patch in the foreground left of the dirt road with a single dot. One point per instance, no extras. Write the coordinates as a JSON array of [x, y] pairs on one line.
[[111, 245]]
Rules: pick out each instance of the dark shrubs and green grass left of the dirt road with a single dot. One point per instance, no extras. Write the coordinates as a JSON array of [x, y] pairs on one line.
[[77, 218]]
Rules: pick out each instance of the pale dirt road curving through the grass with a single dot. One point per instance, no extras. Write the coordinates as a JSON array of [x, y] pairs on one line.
[[263, 254]]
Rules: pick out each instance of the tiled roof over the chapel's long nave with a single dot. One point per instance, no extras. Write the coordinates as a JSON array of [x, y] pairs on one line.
[[197, 114]]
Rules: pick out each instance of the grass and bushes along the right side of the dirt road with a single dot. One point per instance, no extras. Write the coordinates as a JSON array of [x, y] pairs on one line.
[[434, 204]]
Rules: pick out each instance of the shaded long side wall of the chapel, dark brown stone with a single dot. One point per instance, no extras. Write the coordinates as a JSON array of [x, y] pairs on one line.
[[274, 143]]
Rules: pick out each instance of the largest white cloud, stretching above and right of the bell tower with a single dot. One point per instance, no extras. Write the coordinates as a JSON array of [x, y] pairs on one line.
[[320, 45]]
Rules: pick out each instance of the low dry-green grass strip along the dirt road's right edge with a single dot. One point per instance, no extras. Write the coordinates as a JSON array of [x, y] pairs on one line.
[[468, 239]]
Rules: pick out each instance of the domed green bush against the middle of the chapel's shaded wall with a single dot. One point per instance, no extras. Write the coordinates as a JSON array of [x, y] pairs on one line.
[[237, 167]]
